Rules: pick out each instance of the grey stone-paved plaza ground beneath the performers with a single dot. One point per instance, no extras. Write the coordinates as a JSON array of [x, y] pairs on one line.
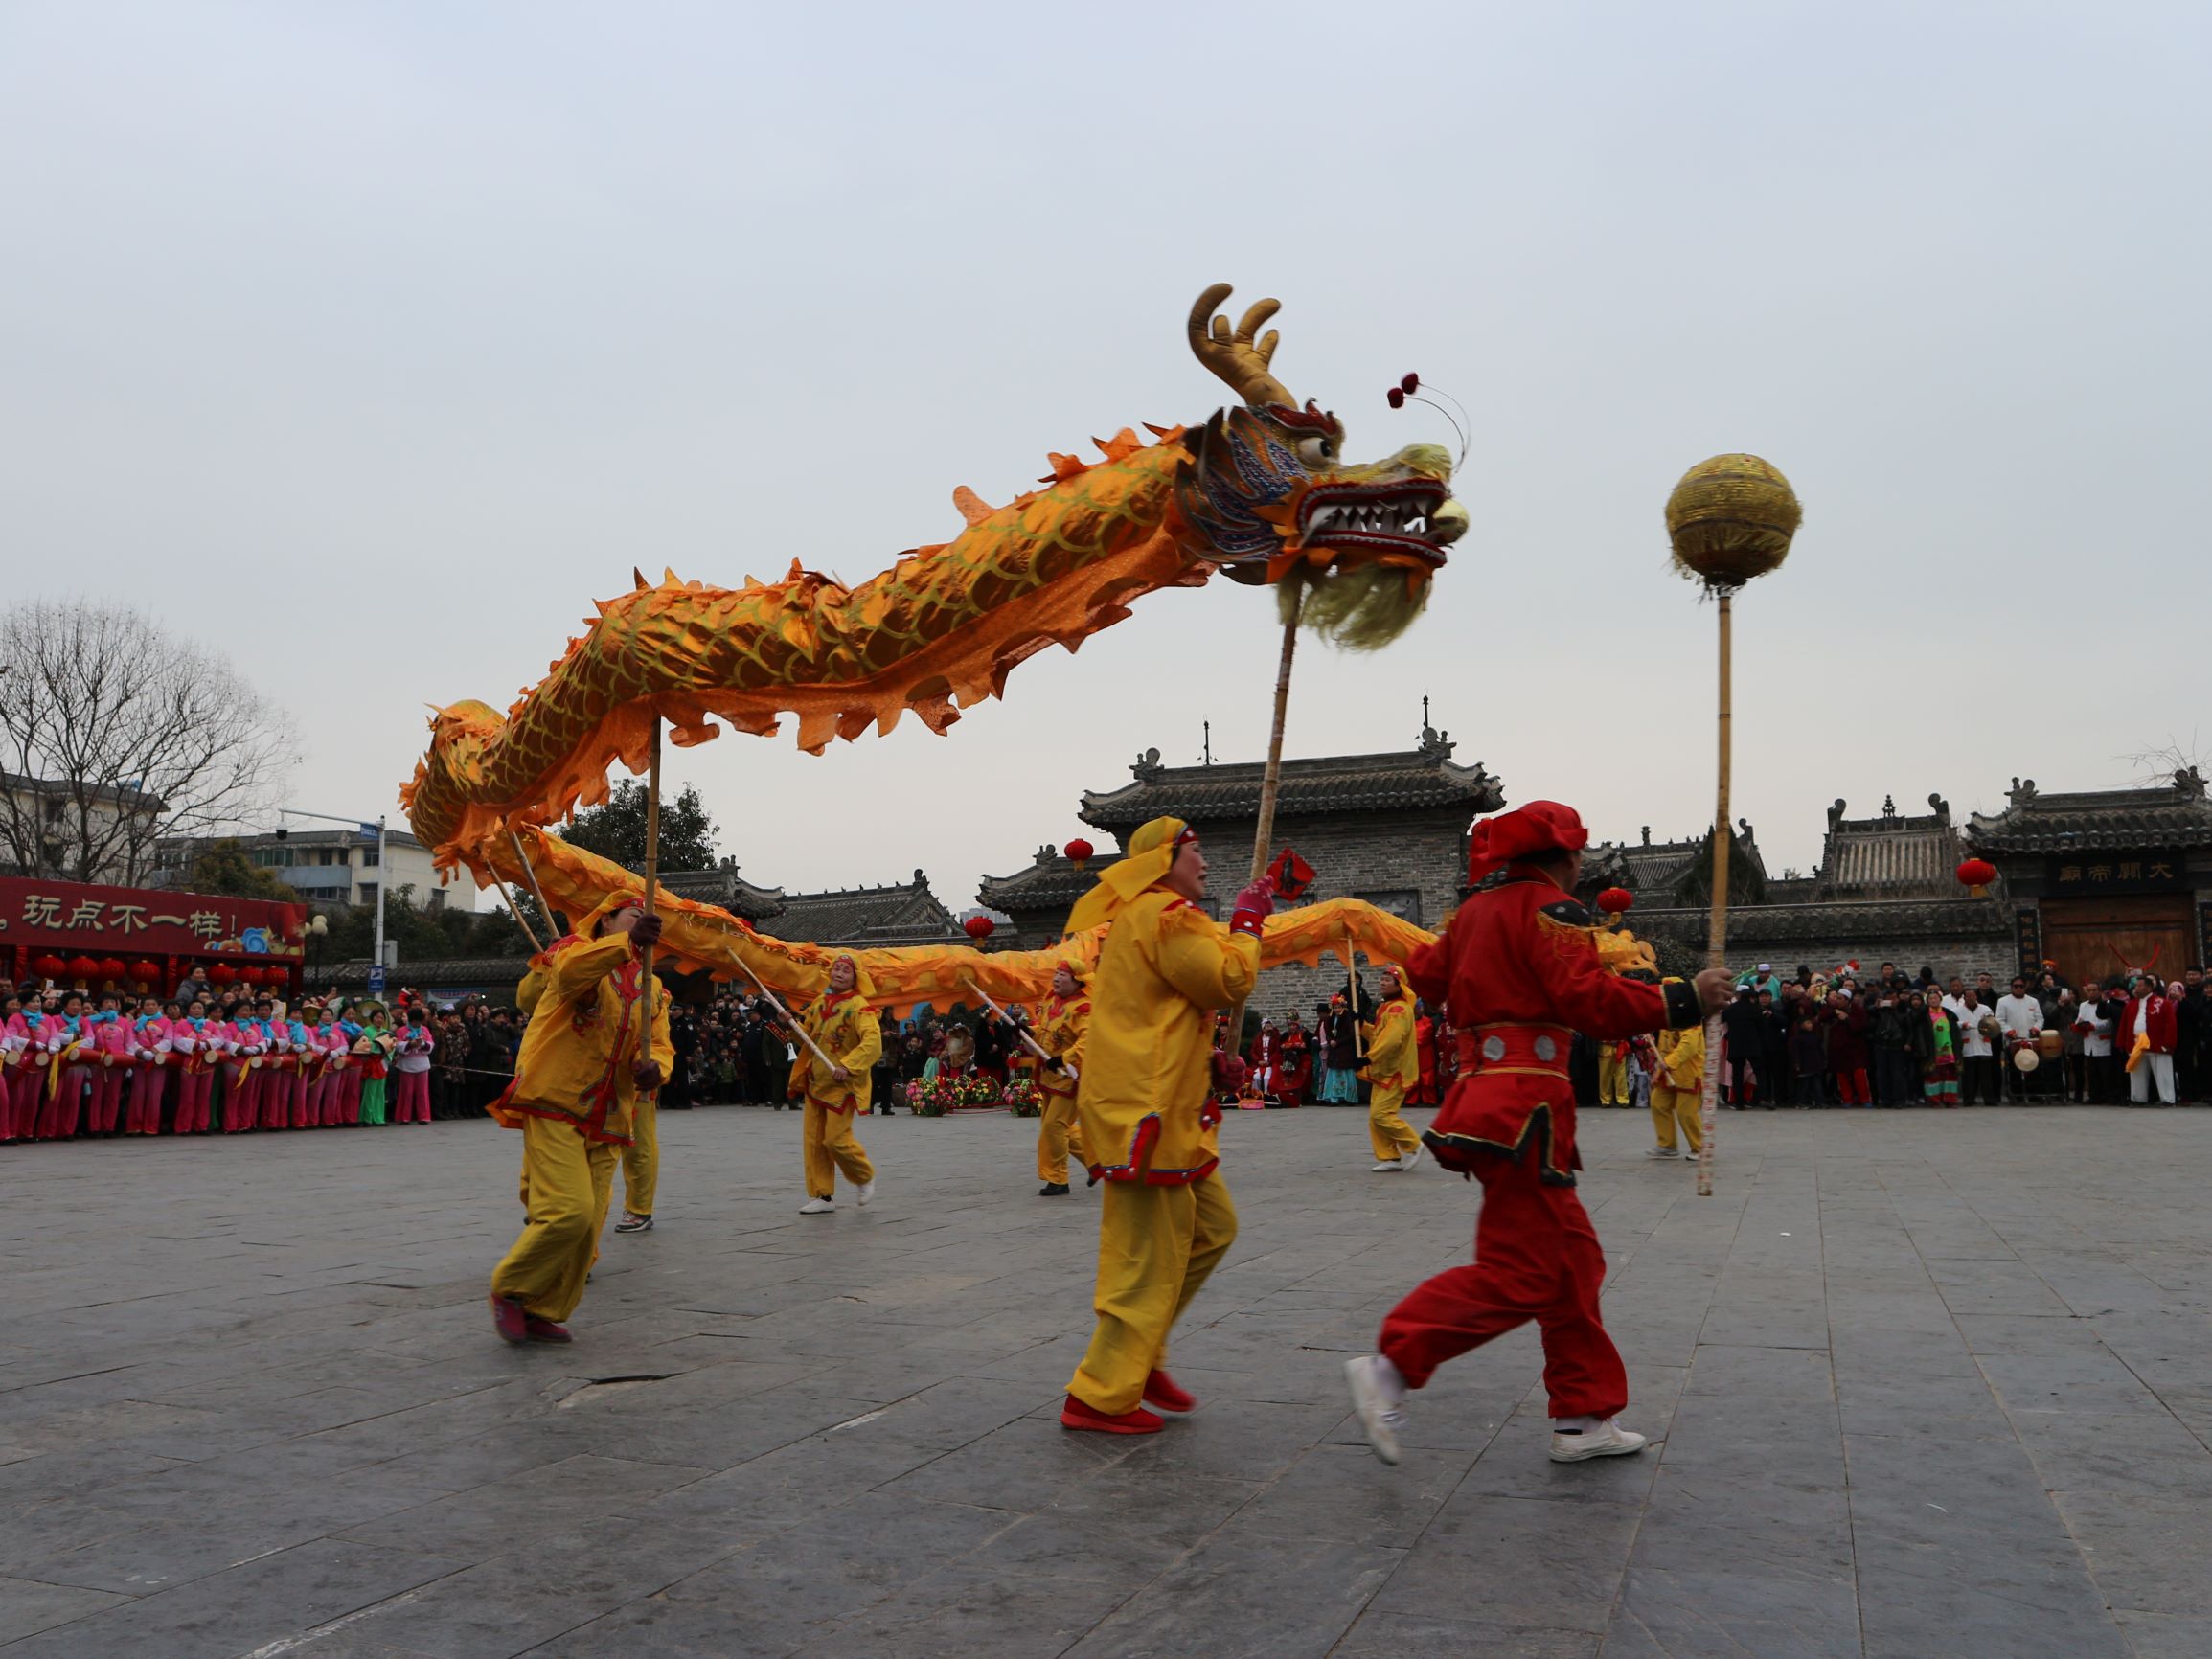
[[1932, 1386]]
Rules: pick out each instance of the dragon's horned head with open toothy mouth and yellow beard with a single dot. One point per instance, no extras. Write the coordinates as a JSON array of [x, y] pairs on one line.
[[1269, 492]]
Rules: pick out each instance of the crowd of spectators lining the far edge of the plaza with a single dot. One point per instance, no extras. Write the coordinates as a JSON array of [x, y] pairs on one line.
[[1886, 1039]]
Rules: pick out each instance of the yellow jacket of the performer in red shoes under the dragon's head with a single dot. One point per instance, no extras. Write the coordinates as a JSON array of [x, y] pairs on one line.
[[1147, 1067]]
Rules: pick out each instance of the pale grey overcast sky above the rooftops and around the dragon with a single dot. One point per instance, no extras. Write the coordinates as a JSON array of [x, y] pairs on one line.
[[375, 342]]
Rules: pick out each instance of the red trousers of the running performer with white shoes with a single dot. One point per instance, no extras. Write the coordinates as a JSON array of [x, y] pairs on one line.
[[1536, 1258]]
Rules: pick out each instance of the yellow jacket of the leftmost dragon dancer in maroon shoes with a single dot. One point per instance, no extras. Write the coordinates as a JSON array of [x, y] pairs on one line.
[[583, 1039]]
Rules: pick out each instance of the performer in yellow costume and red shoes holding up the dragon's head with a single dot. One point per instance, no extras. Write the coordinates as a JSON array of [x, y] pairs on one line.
[[1147, 1114]]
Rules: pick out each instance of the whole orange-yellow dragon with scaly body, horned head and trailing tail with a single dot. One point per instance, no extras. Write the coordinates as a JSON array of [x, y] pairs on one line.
[[1258, 492]]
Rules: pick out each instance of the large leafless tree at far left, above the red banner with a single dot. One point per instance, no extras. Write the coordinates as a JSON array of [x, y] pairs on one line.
[[118, 735]]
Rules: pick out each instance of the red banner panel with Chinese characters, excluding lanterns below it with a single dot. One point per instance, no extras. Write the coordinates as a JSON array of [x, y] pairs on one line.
[[70, 919]]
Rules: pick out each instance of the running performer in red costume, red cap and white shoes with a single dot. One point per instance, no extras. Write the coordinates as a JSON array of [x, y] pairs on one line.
[[1519, 968]]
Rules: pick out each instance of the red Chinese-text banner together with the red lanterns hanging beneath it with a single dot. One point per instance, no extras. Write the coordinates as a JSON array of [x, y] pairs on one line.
[[112, 937]]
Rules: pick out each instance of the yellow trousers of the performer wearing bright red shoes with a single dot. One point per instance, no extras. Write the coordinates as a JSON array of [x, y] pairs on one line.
[[1158, 1244]]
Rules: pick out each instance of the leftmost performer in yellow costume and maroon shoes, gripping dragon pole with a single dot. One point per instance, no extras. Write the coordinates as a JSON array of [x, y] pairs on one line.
[[578, 1081]]
